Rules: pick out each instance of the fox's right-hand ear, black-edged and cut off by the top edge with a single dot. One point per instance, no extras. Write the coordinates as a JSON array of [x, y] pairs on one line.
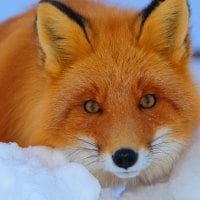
[[165, 28]]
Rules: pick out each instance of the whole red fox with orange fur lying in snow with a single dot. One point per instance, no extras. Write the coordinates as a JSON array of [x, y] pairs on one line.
[[109, 85]]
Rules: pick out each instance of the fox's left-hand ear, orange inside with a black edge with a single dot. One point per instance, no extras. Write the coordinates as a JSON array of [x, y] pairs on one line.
[[62, 35]]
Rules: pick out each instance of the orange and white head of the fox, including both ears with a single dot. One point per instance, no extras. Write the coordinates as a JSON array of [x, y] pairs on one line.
[[123, 98]]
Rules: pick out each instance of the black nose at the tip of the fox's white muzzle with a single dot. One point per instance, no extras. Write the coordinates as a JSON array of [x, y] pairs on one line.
[[125, 158]]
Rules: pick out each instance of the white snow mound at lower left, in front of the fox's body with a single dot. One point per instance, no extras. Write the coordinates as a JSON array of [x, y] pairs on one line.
[[41, 173]]
